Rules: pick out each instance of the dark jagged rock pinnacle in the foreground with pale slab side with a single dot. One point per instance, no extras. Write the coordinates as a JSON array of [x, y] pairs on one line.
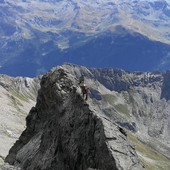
[[66, 133]]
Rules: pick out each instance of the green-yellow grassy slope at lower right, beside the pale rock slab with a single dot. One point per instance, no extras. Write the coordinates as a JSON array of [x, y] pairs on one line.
[[151, 158]]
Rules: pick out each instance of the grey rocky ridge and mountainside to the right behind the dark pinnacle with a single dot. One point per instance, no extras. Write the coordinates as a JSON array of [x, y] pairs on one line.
[[134, 100]]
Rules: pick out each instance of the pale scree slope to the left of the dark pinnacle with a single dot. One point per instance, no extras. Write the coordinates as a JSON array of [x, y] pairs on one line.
[[17, 97]]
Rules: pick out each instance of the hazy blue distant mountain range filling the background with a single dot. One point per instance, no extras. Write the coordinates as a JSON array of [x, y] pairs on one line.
[[37, 35]]
